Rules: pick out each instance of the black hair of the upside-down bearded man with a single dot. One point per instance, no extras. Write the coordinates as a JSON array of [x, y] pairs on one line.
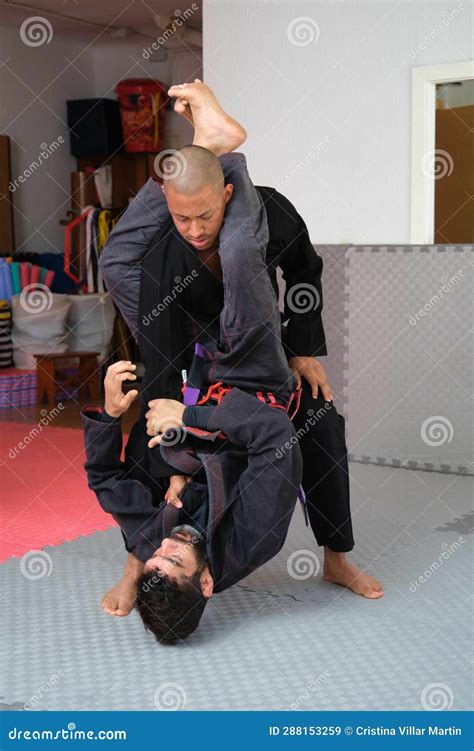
[[171, 610]]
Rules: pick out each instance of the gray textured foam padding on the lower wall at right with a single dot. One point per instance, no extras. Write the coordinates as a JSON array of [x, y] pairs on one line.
[[401, 377]]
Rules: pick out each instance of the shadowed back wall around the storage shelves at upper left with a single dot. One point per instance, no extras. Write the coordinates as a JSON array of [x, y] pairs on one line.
[[35, 83]]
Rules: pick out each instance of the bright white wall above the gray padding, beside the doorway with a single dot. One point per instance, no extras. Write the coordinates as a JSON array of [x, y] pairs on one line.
[[329, 120]]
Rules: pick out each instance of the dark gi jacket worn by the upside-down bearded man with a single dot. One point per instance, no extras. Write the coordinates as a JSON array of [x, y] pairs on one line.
[[250, 485]]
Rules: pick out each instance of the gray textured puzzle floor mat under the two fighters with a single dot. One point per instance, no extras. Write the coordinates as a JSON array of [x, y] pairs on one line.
[[283, 638]]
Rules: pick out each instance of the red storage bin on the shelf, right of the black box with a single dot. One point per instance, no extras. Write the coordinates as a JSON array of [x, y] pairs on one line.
[[142, 104]]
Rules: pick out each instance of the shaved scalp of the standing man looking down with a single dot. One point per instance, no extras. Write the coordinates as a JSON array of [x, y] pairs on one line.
[[191, 170]]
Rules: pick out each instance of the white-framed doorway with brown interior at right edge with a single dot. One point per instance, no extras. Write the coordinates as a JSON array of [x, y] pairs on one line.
[[442, 198]]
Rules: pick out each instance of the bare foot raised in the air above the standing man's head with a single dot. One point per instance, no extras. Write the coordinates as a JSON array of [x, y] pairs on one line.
[[214, 129]]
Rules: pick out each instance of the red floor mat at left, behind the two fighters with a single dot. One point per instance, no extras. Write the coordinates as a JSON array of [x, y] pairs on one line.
[[45, 498]]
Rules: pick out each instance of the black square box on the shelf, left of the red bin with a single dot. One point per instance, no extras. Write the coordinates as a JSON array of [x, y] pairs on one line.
[[94, 125]]
